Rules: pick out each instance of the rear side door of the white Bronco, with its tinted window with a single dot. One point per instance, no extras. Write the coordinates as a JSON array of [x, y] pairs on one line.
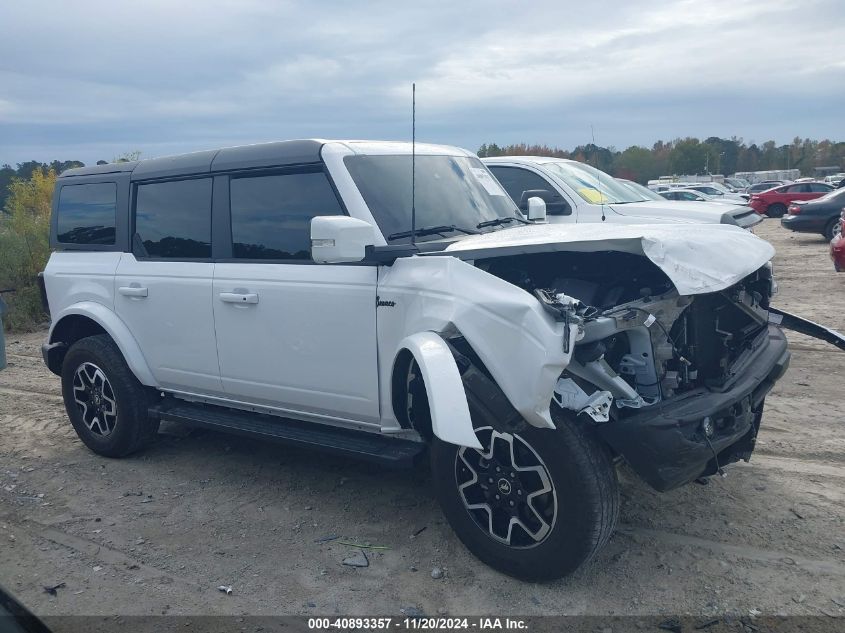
[[163, 287]]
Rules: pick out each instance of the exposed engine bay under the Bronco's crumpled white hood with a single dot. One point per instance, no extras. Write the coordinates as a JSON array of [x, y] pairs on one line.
[[639, 342]]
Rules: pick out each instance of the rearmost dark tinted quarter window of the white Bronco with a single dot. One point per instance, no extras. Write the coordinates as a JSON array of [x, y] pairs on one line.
[[86, 214]]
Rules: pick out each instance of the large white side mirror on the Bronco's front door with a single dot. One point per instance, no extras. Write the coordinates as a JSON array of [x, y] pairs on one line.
[[338, 238]]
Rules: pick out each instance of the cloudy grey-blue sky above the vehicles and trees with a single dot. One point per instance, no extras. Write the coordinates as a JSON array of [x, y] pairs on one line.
[[90, 79]]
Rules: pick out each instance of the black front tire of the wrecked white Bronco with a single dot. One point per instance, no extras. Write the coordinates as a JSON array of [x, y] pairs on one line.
[[585, 490]]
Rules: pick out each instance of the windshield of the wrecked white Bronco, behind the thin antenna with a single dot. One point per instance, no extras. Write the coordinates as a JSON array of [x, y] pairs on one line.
[[450, 191]]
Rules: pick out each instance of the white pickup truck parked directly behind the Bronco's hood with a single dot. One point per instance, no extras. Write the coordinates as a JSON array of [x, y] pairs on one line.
[[576, 192]]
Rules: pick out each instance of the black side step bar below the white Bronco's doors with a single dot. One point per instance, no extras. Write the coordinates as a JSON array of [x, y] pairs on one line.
[[393, 452]]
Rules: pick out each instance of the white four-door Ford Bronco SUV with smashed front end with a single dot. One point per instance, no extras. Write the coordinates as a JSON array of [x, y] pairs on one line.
[[277, 291]]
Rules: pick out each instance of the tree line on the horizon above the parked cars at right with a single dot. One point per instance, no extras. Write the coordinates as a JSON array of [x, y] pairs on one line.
[[690, 156]]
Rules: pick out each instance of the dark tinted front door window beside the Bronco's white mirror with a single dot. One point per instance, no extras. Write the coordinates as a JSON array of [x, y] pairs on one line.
[[271, 215]]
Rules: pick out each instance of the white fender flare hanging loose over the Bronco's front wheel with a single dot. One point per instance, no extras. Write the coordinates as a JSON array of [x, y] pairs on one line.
[[447, 401]]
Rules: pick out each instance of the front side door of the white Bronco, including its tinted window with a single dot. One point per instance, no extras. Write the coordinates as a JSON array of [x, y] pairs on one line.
[[292, 335]]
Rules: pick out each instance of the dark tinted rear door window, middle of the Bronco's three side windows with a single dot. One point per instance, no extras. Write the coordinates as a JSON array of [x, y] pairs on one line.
[[173, 219]]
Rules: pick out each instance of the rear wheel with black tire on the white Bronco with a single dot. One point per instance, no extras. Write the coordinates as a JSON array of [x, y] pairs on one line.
[[109, 409]]
